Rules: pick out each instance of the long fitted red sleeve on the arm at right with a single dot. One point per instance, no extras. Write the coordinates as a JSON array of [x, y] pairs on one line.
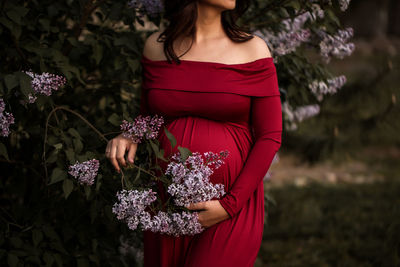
[[266, 121]]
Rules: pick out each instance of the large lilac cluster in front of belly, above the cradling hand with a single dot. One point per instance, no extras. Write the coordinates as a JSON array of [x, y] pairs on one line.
[[190, 178]]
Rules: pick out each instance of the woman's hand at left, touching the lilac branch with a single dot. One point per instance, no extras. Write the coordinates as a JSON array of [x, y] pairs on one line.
[[116, 148]]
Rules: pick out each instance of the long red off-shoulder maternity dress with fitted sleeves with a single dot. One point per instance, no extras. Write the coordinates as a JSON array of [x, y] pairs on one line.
[[210, 106]]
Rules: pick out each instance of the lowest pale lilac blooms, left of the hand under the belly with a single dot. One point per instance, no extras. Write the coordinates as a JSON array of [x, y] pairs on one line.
[[131, 209]]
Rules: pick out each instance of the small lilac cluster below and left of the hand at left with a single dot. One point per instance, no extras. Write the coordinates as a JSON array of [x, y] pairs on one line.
[[85, 172]]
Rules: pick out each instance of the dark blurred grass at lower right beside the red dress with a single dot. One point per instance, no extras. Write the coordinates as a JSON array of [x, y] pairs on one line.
[[335, 225]]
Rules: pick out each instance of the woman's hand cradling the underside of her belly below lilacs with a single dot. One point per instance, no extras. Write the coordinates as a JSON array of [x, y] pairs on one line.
[[212, 212]]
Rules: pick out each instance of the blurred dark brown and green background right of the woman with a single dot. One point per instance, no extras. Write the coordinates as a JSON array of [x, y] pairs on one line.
[[337, 181]]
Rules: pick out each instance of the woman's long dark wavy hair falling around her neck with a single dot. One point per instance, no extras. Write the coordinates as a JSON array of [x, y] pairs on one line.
[[182, 15]]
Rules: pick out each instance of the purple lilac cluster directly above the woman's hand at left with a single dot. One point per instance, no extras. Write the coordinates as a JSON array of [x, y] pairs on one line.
[[143, 127]]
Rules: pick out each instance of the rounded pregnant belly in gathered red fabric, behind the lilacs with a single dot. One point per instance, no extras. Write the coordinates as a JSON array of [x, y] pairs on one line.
[[202, 135]]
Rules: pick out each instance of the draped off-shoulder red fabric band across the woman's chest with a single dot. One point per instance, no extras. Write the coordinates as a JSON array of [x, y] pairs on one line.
[[253, 78]]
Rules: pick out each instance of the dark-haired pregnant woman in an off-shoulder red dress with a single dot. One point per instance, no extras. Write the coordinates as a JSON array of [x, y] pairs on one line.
[[221, 93]]
